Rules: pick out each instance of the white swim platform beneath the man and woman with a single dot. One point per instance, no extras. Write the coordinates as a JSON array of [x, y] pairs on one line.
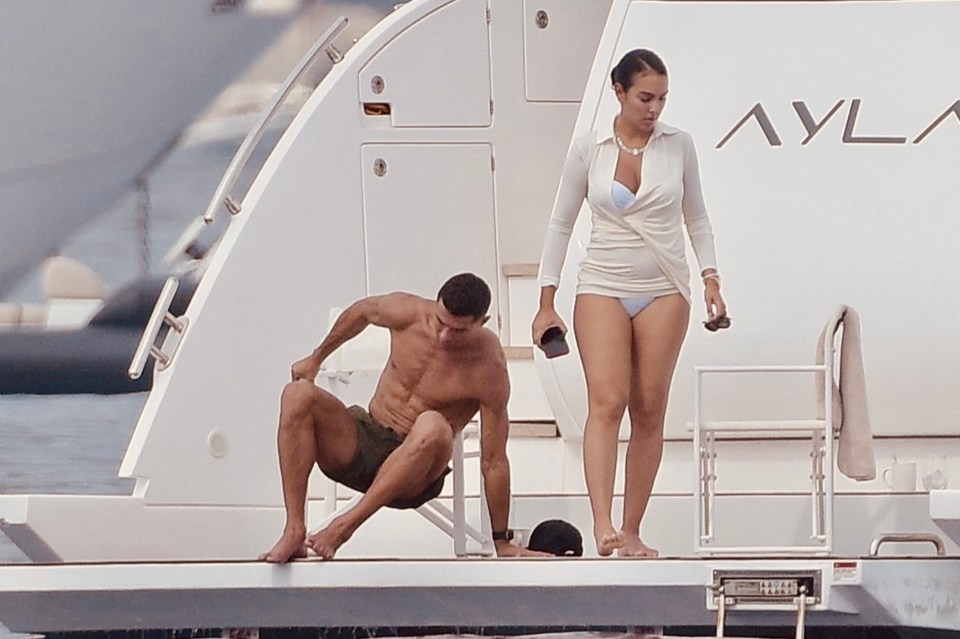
[[571, 592]]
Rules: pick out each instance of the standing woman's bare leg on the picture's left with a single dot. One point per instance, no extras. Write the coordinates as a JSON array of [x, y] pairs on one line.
[[604, 337]]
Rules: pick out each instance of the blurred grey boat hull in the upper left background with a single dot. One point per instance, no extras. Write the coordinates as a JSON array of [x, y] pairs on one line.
[[114, 86]]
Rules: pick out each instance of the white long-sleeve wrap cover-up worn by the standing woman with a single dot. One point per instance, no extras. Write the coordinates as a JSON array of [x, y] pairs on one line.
[[621, 239]]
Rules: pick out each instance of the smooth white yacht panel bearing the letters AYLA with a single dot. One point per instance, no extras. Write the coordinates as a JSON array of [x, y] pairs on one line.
[[828, 135]]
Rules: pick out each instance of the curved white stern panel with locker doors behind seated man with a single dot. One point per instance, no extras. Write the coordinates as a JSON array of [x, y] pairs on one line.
[[354, 202]]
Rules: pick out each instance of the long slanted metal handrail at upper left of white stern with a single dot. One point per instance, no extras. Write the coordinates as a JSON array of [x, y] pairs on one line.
[[242, 156]]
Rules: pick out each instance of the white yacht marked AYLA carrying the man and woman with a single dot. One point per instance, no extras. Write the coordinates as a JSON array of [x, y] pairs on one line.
[[435, 146]]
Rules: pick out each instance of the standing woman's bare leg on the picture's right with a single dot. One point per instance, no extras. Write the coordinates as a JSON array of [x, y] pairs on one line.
[[658, 333]]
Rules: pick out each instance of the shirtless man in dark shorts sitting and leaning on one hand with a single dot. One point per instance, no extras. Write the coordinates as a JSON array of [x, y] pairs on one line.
[[443, 368]]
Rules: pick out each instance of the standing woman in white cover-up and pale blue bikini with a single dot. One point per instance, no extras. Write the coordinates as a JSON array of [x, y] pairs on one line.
[[641, 179]]
